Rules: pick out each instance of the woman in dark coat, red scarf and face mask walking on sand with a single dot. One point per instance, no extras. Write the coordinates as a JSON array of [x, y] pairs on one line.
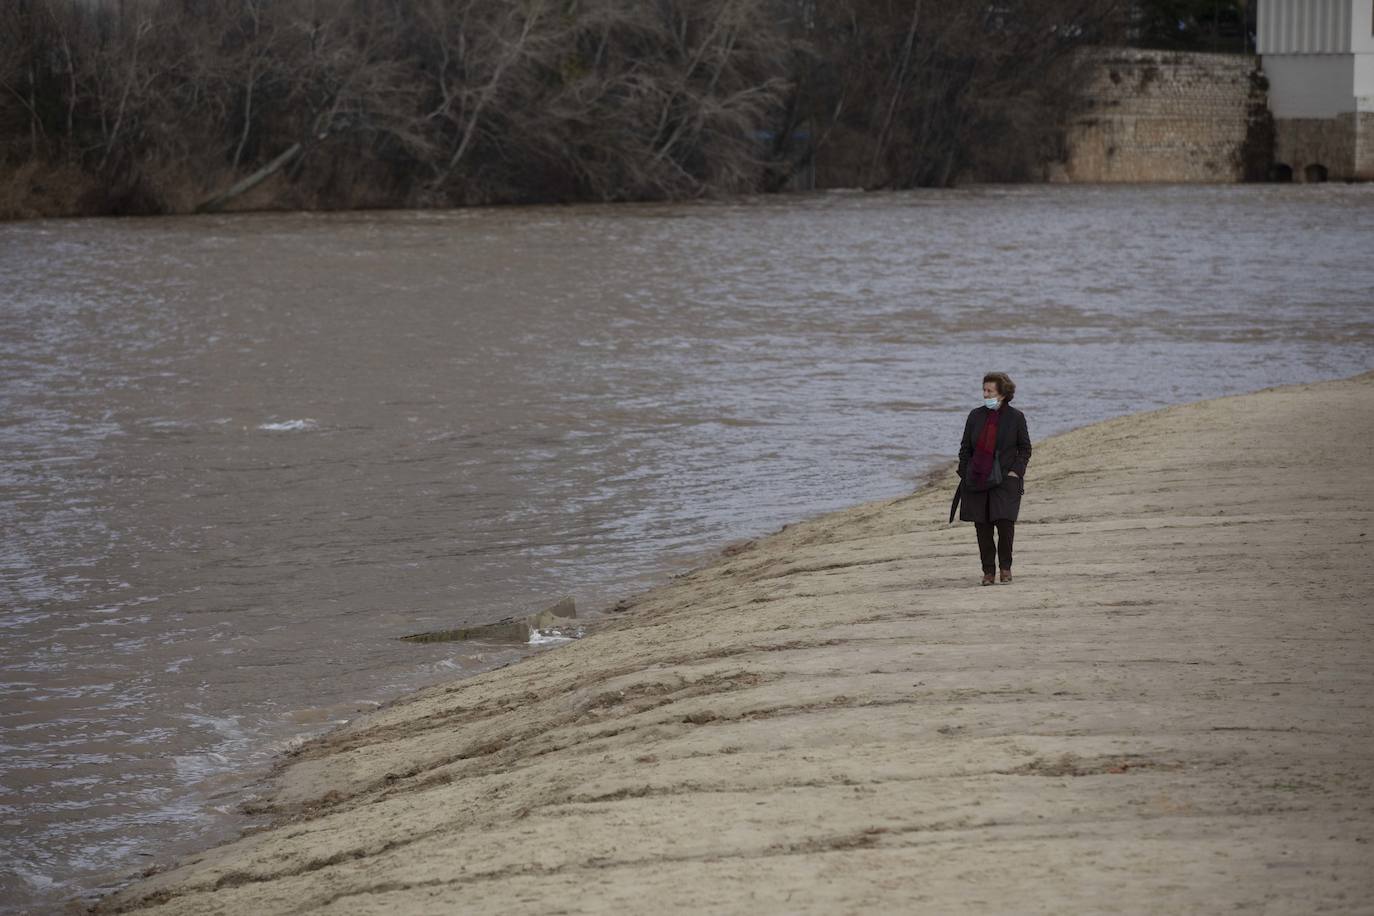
[[993, 466]]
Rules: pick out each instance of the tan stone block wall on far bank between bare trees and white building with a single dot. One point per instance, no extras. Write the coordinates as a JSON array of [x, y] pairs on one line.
[[1163, 116]]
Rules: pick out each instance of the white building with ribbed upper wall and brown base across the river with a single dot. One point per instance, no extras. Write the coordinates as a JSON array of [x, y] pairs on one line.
[[1318, 57]]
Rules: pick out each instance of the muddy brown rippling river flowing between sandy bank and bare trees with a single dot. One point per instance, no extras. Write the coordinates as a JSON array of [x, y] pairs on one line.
[[241, 455]]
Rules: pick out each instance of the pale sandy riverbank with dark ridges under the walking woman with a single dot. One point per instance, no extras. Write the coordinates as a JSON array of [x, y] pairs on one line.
[[1170, 711]]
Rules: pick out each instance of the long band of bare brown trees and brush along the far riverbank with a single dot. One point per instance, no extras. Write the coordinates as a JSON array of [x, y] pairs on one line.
[[170, 106]]
